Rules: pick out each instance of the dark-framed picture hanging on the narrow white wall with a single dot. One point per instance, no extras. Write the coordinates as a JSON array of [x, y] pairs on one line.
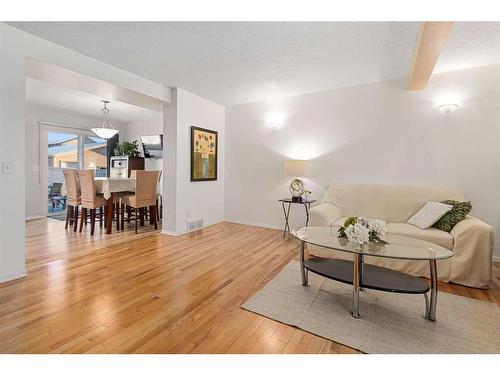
[[203, 154]]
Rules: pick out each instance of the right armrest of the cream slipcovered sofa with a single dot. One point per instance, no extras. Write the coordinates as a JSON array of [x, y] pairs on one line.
[[472, 253]]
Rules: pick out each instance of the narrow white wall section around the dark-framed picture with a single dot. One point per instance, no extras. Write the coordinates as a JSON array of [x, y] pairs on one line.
[[193, 200]]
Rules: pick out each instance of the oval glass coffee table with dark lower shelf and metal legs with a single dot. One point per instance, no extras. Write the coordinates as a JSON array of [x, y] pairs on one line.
[[361, 275]]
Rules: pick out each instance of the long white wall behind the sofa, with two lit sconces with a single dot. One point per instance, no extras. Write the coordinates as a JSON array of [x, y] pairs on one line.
[[377, 133]]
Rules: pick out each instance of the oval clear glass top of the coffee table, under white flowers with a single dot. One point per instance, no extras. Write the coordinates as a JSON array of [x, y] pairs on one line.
[[397, 247]]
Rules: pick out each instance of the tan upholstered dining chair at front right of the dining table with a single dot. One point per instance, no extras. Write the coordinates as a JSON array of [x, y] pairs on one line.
[[146, 183]]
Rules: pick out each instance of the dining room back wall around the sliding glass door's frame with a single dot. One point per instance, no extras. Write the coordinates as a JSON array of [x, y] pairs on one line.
[[35, 200]]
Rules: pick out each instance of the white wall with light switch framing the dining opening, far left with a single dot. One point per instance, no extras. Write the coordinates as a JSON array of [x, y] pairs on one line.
[[15, 46]]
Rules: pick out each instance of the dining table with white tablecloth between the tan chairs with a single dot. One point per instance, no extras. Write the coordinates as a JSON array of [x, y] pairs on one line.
[[110, 187]]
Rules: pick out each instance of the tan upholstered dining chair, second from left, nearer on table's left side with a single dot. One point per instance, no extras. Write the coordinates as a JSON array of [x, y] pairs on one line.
[[89, 199]]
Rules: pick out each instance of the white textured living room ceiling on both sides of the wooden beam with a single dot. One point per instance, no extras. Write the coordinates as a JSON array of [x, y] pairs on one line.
[[238, 62]]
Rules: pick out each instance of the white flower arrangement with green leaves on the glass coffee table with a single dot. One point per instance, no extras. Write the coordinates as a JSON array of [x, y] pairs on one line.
[[360, 230]]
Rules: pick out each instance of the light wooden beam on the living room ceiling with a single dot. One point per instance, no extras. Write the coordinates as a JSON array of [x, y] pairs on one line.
[[430, 42]]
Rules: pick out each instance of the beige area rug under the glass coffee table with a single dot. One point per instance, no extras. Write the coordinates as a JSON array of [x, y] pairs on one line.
[[389, 323]]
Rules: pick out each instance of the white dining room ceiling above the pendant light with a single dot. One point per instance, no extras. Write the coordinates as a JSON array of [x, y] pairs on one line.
[[43, 94]]
